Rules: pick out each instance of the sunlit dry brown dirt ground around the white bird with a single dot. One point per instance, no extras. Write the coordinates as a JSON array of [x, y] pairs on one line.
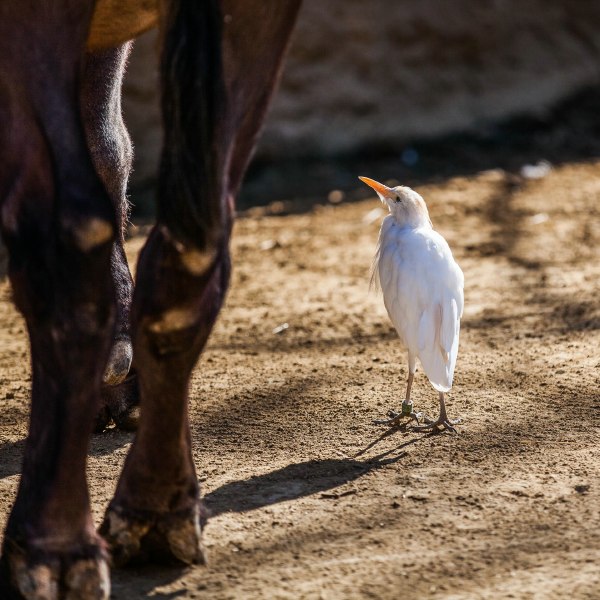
[[309, 498]]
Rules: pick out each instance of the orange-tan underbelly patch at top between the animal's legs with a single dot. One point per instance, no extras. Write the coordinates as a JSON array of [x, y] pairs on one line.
[[117, 21]]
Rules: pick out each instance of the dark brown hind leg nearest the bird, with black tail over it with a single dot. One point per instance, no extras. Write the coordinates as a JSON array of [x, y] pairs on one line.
[[212, 111]]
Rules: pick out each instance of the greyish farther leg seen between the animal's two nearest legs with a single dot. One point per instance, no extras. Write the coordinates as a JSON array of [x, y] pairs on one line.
[[111, 151]]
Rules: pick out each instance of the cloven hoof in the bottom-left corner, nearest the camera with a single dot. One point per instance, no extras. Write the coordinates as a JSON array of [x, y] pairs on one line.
[[53, 577]]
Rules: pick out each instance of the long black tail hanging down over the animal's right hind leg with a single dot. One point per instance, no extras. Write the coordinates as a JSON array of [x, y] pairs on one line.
[[193, 97]]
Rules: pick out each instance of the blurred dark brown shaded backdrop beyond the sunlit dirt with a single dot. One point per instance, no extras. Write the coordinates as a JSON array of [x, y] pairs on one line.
[[407, 90]]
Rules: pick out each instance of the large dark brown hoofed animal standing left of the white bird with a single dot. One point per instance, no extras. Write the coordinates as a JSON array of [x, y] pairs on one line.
[[64, 161]]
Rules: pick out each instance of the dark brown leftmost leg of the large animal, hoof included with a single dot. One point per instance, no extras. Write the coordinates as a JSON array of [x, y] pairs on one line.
[[59, 226]]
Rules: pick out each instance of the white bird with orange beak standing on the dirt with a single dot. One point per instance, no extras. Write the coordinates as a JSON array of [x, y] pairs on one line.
[[422, 291]]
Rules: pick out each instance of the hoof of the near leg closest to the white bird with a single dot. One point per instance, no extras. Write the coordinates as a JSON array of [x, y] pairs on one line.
[[141, 538]]
